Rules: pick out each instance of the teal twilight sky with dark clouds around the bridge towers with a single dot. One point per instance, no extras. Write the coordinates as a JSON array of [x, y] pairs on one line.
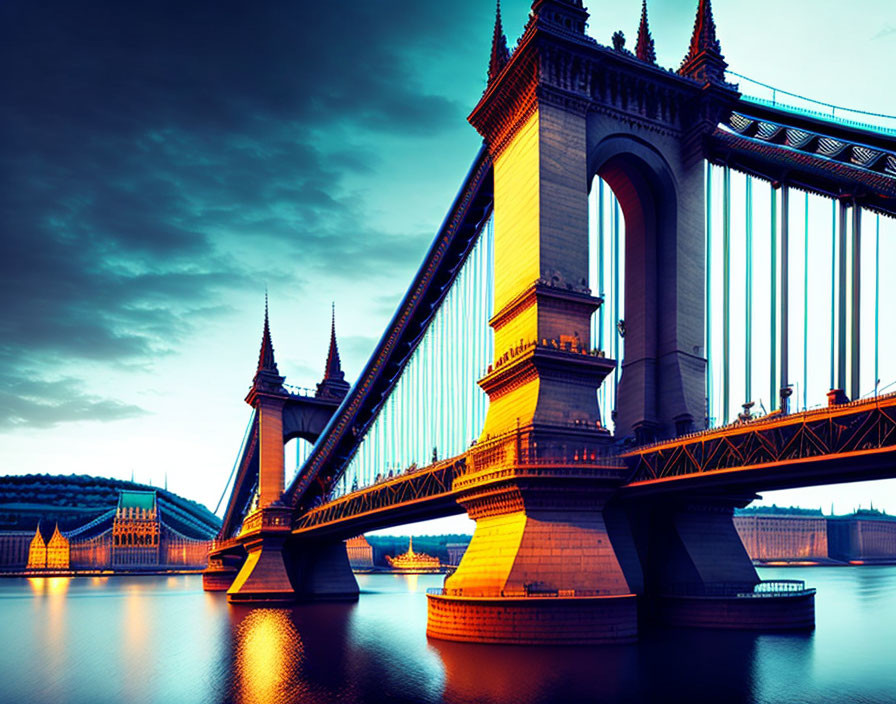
[[162, 162]]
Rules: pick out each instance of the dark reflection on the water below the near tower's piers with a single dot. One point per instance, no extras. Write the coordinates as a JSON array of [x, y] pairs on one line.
[[664, 666]]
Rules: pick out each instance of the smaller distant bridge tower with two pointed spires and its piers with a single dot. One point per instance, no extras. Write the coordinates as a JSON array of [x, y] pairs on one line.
[[263, 563]]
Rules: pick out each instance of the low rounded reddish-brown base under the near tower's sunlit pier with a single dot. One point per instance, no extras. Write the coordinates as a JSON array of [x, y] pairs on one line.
[[544, 620]]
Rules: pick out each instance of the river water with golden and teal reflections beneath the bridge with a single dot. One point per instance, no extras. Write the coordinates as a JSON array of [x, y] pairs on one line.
[[162, 639]]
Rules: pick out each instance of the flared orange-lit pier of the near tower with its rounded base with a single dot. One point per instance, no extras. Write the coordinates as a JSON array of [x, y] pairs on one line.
[[541, 567]]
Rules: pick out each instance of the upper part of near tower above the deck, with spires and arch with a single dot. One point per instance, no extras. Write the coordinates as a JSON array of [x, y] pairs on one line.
[[559, 111]]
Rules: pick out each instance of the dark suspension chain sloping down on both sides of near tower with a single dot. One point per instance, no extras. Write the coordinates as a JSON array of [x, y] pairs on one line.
[[815, 153]]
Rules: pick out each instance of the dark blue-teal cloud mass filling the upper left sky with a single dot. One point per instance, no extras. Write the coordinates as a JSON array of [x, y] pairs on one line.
[[157, 159]]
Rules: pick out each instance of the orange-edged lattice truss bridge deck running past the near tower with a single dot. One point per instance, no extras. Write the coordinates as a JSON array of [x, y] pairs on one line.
[[840, 443]]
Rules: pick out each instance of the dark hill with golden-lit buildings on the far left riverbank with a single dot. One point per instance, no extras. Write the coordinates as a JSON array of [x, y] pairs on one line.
[[81, 523]]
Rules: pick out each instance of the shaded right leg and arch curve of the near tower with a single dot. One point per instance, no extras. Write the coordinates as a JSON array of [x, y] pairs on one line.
[[661, 391]]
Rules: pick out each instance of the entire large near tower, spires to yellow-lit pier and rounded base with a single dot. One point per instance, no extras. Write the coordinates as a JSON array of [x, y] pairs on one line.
[[556, 112]]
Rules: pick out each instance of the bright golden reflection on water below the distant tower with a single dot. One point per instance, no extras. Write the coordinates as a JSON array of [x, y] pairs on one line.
[[268, 657]]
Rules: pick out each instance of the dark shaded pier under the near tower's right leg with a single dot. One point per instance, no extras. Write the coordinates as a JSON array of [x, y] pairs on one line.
[[698, 573]]
